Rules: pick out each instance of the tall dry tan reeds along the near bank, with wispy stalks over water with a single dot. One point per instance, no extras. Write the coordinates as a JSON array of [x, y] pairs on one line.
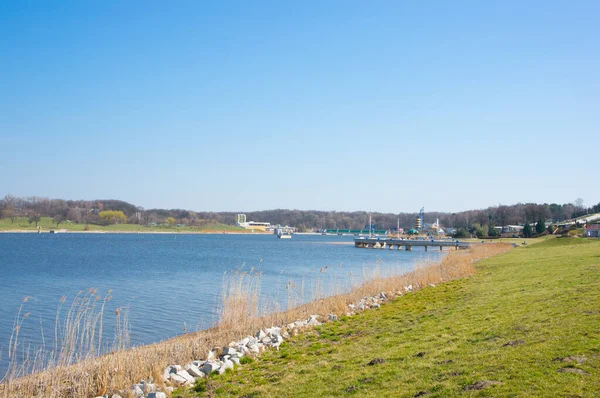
[[242, 313]]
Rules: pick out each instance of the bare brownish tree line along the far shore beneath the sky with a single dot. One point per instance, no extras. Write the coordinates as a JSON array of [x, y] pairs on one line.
[[103, 212]]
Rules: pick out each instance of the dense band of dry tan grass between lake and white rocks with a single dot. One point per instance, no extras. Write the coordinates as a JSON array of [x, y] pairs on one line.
[[137, 363]]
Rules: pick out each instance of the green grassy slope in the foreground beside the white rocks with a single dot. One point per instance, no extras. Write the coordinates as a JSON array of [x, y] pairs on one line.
[[527, 324]]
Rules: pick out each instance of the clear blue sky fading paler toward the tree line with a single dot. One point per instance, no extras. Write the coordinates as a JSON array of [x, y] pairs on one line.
[[332, 105]]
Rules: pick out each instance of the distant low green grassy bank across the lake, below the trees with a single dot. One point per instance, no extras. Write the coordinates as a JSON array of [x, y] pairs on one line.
[[46, 223]]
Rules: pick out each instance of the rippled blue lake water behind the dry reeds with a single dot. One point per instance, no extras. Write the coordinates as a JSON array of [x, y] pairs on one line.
[[171, 282]]
